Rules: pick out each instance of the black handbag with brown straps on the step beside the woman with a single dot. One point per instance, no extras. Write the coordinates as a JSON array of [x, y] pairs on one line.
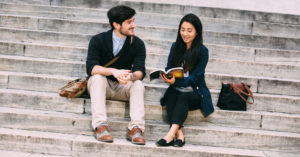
[[234, 96]]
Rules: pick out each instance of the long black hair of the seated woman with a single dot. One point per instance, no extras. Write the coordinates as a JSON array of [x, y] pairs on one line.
[[181, 56]]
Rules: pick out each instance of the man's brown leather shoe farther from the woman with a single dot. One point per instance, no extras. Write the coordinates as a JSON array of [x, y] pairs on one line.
[[102, 134]]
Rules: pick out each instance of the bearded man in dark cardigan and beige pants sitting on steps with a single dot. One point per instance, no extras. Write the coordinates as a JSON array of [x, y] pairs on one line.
[[122, 79]]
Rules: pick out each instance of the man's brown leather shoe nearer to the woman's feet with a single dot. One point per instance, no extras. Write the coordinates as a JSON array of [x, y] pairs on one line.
[[135, 136]]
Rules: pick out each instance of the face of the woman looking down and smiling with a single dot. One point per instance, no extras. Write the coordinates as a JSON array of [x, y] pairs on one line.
[[188, 33]]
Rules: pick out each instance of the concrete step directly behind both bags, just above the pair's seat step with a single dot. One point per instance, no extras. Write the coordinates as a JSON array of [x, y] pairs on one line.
[[51, 83]]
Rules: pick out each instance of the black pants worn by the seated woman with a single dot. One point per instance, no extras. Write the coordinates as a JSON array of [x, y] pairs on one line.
[[179, 103]]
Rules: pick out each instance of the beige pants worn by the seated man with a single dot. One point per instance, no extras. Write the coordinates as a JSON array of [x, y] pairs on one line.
[[101, 88]]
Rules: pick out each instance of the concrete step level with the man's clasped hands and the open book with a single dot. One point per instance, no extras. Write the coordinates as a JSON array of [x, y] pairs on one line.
[[77, 69]]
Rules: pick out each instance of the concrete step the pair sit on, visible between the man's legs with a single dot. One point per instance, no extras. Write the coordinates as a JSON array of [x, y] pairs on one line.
[[250, 119]]
